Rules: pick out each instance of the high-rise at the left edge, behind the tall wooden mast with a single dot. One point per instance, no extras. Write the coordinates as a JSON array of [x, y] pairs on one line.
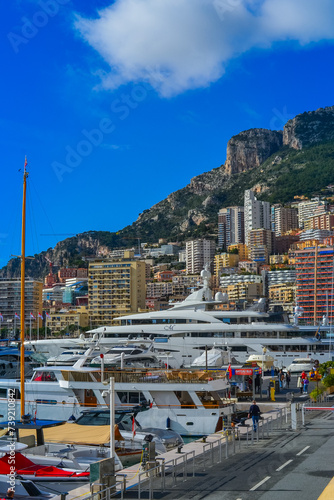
[[10, 302]]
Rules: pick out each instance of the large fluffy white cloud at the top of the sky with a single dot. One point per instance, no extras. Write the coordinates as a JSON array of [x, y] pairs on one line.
[[176, 45]]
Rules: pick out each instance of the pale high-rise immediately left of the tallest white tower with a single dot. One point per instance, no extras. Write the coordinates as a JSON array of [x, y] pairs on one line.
[[231, 226]]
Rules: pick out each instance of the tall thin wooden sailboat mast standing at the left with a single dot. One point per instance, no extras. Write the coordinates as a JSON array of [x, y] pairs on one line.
[[23, 236]]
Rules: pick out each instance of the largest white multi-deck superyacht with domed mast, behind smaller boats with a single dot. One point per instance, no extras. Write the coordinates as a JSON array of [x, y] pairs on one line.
[[181, 333]]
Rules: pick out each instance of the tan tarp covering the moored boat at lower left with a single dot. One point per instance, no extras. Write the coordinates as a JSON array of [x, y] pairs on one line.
[[69, 433]]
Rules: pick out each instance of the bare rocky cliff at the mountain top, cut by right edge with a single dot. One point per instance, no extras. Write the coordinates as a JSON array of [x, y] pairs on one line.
[[309, 128]]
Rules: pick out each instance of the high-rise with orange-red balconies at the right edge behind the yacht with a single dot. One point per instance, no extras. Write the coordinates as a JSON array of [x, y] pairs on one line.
[[314, 271]]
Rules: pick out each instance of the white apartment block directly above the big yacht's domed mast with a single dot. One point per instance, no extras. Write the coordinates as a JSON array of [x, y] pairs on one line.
[[198, 254]]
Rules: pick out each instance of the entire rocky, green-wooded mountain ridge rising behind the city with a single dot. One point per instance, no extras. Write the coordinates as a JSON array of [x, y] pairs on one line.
[[276, 164]]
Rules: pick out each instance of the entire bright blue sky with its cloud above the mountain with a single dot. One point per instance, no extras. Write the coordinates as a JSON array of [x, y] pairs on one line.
[[116, 105]]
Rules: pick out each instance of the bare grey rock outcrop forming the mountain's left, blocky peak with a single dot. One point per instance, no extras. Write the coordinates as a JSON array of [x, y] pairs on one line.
[[251, 148]]
